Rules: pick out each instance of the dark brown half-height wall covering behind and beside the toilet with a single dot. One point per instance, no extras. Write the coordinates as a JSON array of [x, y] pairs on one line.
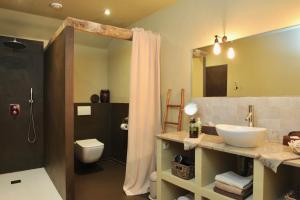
[[104, 124]]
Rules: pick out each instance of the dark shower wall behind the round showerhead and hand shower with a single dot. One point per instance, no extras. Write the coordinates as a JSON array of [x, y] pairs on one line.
[[20, 70]]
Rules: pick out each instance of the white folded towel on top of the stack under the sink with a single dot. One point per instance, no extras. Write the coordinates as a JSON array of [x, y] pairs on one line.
[[231, 178]]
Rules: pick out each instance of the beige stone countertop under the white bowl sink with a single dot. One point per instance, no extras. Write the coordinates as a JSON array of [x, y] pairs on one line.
[[216, 143]]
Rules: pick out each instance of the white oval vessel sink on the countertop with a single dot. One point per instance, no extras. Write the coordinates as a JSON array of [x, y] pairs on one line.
[[241, 136]]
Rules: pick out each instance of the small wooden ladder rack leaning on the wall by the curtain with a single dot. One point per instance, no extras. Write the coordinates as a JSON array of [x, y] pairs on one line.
[[173, 106]]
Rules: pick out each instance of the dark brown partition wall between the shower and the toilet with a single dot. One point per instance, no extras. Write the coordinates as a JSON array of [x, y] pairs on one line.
[[59, 113]]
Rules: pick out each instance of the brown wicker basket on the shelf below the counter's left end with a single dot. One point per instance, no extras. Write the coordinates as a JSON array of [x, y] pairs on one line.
[[183, 171]]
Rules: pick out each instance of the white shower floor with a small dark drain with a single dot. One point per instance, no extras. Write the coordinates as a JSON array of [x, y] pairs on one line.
[[35, 185]]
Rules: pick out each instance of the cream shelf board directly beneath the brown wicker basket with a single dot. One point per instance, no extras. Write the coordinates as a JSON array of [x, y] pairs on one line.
[[189, 185]]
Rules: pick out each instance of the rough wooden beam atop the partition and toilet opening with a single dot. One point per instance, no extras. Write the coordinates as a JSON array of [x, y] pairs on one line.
[[94, 28]]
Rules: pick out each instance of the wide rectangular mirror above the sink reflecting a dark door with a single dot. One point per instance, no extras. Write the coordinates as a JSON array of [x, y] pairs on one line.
[[266, 64]]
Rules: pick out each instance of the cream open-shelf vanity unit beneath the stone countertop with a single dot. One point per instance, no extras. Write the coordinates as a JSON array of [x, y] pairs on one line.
[[267, 185]]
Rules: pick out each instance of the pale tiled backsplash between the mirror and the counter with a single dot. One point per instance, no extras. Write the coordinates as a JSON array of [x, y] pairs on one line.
[[279, 115]]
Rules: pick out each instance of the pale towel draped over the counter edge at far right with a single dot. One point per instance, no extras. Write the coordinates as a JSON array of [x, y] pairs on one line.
[[273, 160]]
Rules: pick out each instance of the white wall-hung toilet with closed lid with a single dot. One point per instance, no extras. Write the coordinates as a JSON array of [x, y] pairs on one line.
[[88, 151]]
